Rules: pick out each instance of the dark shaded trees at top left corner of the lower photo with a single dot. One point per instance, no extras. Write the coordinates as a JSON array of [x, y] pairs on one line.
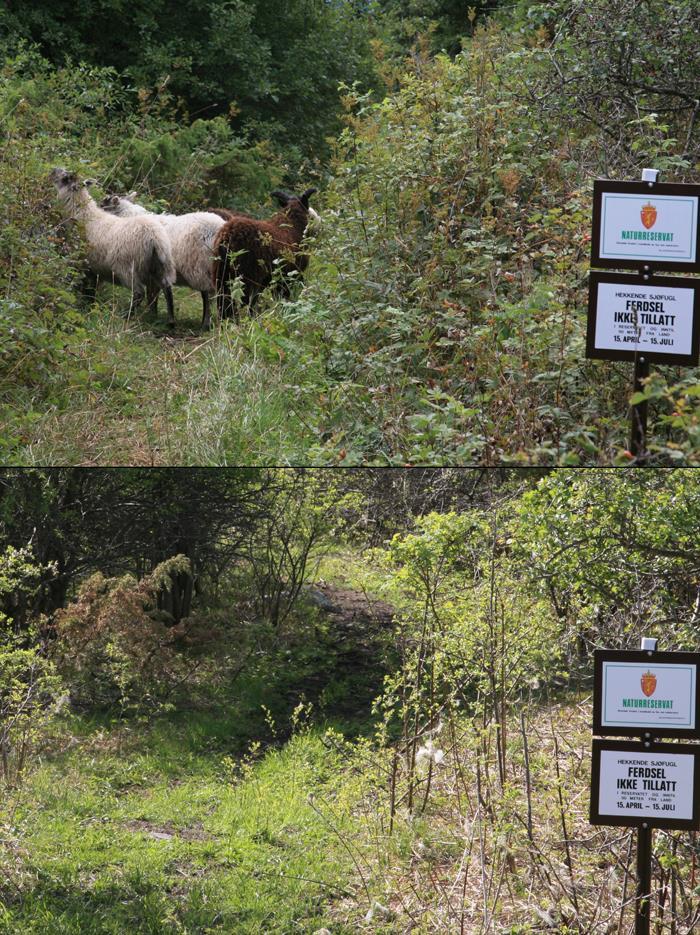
[[129, 521]]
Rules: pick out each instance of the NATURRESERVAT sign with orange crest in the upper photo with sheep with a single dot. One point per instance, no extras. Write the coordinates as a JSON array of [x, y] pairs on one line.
[[637, 224]]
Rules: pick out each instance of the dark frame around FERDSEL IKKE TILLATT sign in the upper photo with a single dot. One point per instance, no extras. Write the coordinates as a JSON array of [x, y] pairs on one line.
[[627, 280]]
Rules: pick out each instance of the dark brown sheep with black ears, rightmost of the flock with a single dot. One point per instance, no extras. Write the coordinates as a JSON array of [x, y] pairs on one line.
[[258, 246]]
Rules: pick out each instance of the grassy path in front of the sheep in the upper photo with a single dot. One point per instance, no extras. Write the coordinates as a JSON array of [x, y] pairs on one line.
[[145, 394]]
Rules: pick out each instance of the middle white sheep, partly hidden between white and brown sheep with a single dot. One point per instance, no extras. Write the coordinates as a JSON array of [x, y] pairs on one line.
[[191, 237]]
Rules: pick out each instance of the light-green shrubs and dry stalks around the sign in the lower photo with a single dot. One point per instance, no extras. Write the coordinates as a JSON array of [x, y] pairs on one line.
[[476, 781]]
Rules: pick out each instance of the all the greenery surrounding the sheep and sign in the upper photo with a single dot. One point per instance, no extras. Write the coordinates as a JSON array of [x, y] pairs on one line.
[[444, 316]]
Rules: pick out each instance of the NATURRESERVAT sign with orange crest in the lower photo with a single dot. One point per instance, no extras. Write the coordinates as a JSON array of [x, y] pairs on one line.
[[635, 693]]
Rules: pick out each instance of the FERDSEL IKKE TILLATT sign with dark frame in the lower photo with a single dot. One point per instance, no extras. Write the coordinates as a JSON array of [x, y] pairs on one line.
[[632, 784]]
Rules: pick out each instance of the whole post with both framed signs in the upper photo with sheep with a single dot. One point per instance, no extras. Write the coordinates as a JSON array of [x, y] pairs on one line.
[[645, 226]]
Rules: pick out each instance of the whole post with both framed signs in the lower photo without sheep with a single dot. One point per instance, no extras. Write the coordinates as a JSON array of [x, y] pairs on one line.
[[646, 784]]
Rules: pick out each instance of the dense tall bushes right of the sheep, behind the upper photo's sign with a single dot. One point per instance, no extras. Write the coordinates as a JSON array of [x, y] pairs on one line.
[[449, 293]]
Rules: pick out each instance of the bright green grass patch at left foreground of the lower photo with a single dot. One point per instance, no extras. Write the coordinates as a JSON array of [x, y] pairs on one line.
[[159, 830]]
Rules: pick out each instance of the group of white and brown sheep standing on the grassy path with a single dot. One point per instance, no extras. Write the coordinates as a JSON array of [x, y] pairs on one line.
[[205, 250]]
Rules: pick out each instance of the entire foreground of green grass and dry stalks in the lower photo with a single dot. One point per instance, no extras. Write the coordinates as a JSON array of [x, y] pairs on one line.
[[170, 828]]
